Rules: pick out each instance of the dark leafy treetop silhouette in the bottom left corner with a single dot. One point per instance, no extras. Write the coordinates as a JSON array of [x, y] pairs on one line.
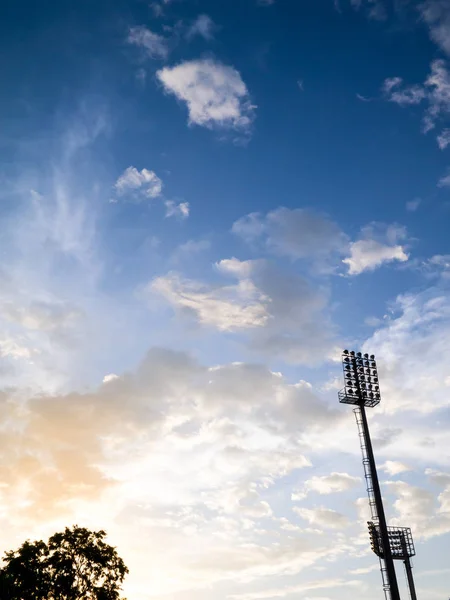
[[74, 565]]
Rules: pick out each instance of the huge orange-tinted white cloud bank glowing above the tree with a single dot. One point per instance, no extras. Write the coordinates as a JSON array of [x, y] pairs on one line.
[[182, 452]]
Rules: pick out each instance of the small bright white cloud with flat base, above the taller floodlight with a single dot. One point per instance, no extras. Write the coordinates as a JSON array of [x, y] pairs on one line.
[[370, 253]]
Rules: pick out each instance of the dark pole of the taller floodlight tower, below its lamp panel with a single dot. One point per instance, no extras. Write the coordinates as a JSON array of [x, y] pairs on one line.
[[387, 555]]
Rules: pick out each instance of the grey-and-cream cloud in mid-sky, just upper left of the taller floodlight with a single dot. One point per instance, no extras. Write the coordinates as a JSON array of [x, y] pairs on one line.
[[281, 314]]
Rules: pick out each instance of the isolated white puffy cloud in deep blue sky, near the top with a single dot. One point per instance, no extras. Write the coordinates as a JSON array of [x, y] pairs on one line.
[[215, 95]]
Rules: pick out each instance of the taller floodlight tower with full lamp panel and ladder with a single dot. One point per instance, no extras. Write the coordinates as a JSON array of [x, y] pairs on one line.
[[362, 390]]
